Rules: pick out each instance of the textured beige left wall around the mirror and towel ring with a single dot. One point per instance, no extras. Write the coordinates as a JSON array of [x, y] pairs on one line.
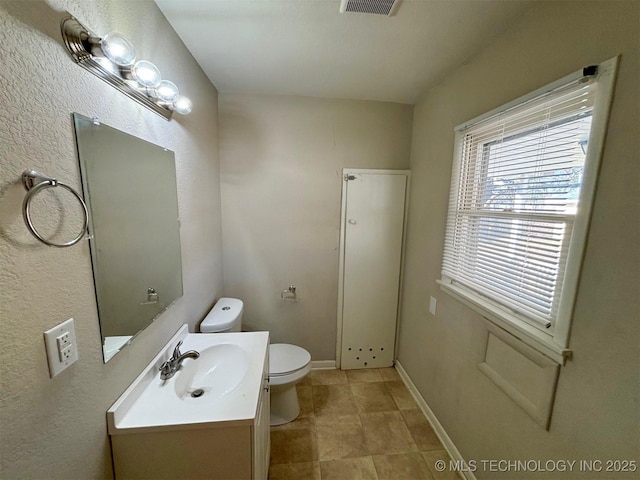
[[55, 428]]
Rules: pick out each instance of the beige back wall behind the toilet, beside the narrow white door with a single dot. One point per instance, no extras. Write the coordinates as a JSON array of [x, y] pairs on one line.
[[281, 162]]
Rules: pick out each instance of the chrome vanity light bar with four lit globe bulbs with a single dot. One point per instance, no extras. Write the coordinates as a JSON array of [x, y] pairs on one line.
[[113, 59]]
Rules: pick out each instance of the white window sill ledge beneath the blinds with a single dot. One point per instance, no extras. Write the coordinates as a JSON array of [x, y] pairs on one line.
[[538, 340]]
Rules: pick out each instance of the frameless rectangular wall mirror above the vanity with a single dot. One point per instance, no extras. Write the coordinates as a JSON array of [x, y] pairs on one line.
[[130, 189]]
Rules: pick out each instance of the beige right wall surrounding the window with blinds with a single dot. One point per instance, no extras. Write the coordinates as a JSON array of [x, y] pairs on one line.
[[596, 414]]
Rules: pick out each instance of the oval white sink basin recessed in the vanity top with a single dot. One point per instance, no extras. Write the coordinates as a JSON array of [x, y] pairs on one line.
[[216, 373]]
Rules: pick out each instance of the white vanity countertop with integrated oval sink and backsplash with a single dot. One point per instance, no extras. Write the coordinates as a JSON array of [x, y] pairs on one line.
[[229, 372]]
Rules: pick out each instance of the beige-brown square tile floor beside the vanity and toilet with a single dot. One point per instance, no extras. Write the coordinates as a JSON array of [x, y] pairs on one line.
[[356, 425]]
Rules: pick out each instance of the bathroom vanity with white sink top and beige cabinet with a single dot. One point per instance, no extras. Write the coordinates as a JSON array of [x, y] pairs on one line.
[[210, 420]]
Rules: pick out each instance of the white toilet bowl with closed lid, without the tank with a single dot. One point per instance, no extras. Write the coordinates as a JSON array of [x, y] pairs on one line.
[[288, 364]]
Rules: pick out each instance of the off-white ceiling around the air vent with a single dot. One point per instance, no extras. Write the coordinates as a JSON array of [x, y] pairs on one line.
[[309, 48]]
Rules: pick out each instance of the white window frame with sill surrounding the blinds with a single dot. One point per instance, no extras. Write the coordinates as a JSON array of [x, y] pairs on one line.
[[554, 344]]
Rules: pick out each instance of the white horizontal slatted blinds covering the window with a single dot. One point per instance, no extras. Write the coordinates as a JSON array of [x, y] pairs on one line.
[[515, 192]]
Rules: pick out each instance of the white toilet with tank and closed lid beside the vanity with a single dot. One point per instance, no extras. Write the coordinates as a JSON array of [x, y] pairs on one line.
[[288, 364]]
